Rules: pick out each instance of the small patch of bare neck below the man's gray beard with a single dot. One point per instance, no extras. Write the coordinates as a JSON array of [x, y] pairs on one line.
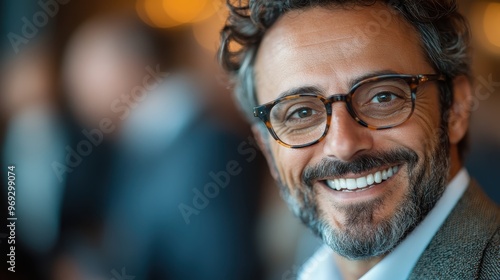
[[355, 269]]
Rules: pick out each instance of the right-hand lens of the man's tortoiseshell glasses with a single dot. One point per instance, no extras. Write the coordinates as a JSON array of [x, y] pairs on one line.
[[382, 103]]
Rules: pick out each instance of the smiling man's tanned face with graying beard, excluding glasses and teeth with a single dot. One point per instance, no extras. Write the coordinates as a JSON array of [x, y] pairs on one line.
[[328, 48]]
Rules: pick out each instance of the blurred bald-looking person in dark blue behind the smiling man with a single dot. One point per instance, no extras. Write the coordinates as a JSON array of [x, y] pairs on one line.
[[139, 199]]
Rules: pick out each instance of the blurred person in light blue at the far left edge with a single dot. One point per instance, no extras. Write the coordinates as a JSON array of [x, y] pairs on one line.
[[35, 137]]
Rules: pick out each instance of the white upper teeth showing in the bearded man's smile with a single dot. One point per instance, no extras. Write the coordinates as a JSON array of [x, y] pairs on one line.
[[361, 183]]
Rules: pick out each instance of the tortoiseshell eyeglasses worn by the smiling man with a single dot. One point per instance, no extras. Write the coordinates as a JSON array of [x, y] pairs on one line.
[[381, 102]]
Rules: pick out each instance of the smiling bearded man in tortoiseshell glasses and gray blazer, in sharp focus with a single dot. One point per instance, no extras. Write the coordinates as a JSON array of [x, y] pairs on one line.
[[363, 110]]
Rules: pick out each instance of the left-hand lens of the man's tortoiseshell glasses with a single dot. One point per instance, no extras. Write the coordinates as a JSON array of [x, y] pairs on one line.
[[299, 120]]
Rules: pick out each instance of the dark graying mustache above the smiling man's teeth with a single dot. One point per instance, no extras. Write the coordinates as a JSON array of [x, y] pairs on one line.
[[335, 168]]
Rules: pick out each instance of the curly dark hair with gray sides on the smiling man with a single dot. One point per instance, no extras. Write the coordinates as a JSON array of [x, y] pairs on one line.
[[443, 31]]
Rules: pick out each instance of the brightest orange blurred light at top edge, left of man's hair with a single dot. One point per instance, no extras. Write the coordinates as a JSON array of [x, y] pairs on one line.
[[184, 11]]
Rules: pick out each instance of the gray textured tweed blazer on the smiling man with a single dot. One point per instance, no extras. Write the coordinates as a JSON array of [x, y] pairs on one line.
[[467, 246]]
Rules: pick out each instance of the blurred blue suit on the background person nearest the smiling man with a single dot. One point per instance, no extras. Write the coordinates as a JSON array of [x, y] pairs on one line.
[[169, 151]]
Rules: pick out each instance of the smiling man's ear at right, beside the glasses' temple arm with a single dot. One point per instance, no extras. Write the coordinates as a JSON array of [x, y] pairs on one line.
[[458, 120]]
